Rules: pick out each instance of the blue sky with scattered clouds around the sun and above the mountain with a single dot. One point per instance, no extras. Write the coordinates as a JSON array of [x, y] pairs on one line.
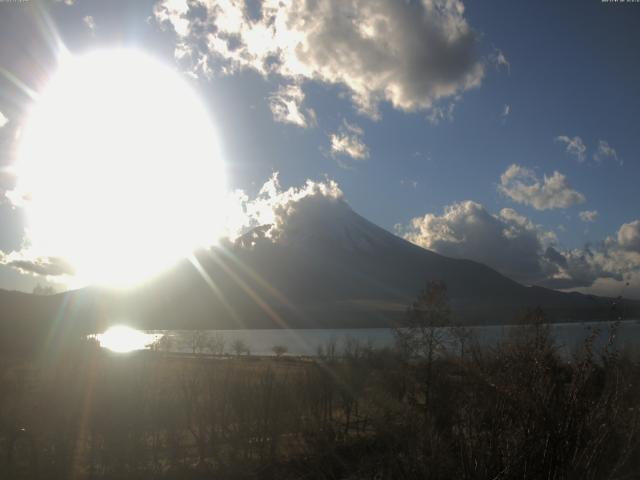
[[551, 73]]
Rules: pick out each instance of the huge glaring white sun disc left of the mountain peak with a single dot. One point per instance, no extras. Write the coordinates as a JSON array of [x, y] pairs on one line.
[[119, 168]]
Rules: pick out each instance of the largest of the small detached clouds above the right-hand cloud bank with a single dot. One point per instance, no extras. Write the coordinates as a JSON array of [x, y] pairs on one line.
[[522, 185]]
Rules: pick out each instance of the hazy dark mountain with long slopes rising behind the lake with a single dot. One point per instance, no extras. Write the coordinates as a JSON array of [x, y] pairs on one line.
[[326, 266]]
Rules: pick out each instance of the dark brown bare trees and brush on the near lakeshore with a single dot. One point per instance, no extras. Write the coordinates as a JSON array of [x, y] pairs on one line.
[[516, 410]]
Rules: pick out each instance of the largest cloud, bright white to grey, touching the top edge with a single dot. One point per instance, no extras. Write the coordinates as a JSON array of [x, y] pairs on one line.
[[410, 54]]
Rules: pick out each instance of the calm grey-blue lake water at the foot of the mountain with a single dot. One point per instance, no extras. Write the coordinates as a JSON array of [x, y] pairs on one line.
[[568, 337]]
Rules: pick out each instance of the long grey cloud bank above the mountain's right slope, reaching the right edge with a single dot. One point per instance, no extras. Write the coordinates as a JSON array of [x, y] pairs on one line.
[[524, 251]]
